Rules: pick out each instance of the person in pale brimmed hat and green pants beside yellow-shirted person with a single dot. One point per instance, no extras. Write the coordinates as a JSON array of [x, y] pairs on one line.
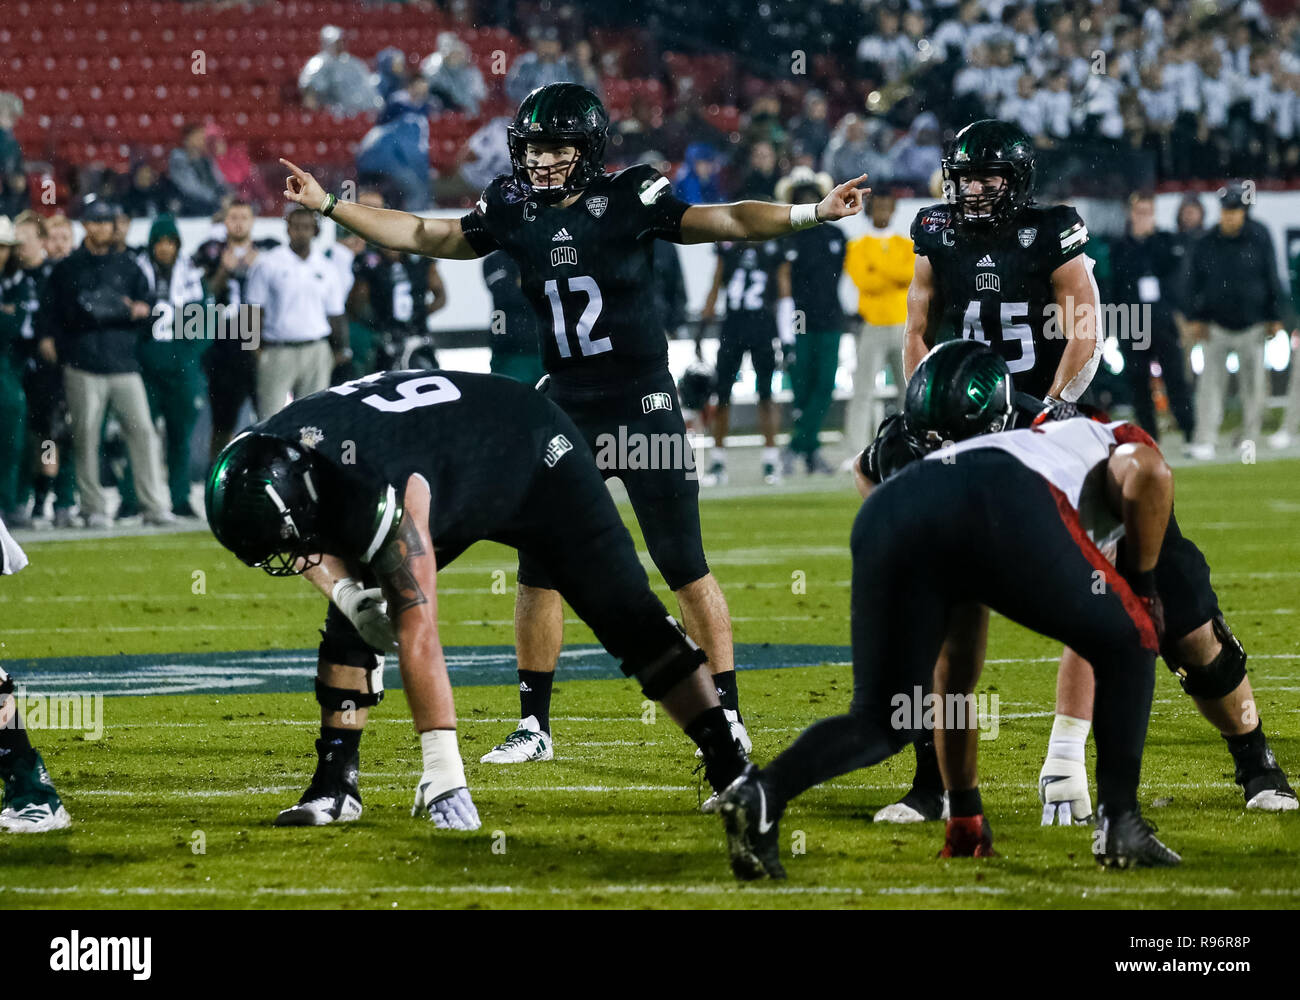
[[817, 262]]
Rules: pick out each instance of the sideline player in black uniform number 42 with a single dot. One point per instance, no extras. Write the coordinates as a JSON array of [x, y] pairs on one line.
[[755, 280]]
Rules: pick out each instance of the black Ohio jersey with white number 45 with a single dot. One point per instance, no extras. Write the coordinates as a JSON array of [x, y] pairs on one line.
[[996, 287]]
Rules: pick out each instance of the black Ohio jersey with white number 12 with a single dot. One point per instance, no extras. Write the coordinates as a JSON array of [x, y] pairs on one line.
[[586, 270]]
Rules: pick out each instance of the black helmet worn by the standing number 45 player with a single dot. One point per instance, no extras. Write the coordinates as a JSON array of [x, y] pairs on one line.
[[990, 148]]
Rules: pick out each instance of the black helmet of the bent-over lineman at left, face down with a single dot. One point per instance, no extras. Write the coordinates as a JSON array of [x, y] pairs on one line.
[[263, 504]]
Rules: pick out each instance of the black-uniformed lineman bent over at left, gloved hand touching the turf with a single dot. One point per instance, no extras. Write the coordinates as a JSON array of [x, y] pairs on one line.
[[370, 488]]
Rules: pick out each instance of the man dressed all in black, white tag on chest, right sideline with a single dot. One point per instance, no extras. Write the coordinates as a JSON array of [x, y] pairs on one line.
[[1143, 265]]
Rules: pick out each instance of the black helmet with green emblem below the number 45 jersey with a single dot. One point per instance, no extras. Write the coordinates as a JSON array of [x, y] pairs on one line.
[[959, 391]]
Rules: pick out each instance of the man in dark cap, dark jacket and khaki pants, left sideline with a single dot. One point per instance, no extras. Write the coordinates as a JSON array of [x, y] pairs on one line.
[[97, 305]]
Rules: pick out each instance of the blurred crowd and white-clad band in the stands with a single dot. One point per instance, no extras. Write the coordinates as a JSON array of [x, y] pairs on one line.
[[1172, 92]]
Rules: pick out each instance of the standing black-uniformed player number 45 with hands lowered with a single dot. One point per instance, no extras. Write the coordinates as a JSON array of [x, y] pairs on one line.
[[994, 266]]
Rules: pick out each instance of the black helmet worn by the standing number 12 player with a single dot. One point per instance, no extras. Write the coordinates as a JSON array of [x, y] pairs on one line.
[[565, 114]]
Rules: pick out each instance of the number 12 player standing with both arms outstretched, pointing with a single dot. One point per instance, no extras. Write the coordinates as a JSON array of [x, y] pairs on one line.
[[583, 241]]
